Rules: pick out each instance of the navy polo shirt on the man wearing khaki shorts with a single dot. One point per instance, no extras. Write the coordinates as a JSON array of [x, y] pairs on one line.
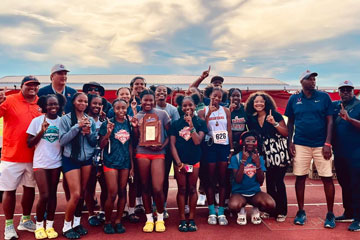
[[310, 117]]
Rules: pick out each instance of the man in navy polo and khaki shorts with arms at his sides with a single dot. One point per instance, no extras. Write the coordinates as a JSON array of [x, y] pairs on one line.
[[310, 112]]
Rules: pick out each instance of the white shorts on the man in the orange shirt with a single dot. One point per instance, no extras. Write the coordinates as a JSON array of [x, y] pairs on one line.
[[13, 174]]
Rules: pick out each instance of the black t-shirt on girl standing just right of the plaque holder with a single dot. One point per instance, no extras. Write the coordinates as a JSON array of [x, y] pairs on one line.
[[189, 153]]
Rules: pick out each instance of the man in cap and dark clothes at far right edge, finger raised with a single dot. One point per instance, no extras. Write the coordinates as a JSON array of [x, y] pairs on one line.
[[346, 147]]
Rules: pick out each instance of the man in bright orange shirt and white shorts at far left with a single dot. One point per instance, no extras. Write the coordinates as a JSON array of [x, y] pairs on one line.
[[16, 158]]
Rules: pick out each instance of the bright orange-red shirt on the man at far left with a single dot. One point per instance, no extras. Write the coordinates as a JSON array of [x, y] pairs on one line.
[[17, 113]]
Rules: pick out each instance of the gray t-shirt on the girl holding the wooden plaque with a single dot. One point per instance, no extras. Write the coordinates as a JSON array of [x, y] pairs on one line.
[[165, 120]]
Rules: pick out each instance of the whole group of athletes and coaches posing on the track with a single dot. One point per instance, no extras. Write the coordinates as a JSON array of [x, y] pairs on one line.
[[131, 143]]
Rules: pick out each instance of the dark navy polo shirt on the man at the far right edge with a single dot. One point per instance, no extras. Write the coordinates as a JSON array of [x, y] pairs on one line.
[[346, 138]]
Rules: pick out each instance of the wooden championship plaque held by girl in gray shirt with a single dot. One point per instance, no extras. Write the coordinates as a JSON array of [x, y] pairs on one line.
[[150, 131]]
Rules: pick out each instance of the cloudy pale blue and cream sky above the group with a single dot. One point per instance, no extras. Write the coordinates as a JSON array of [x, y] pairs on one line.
[[248, 38]]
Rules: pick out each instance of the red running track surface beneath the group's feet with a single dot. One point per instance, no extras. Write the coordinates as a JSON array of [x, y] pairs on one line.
[[315, 207]]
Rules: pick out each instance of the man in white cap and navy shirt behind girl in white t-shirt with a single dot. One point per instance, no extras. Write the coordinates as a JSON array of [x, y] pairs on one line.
[[58, 78]]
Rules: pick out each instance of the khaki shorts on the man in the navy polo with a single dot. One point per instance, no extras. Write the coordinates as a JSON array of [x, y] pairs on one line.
[[302, 161]]
